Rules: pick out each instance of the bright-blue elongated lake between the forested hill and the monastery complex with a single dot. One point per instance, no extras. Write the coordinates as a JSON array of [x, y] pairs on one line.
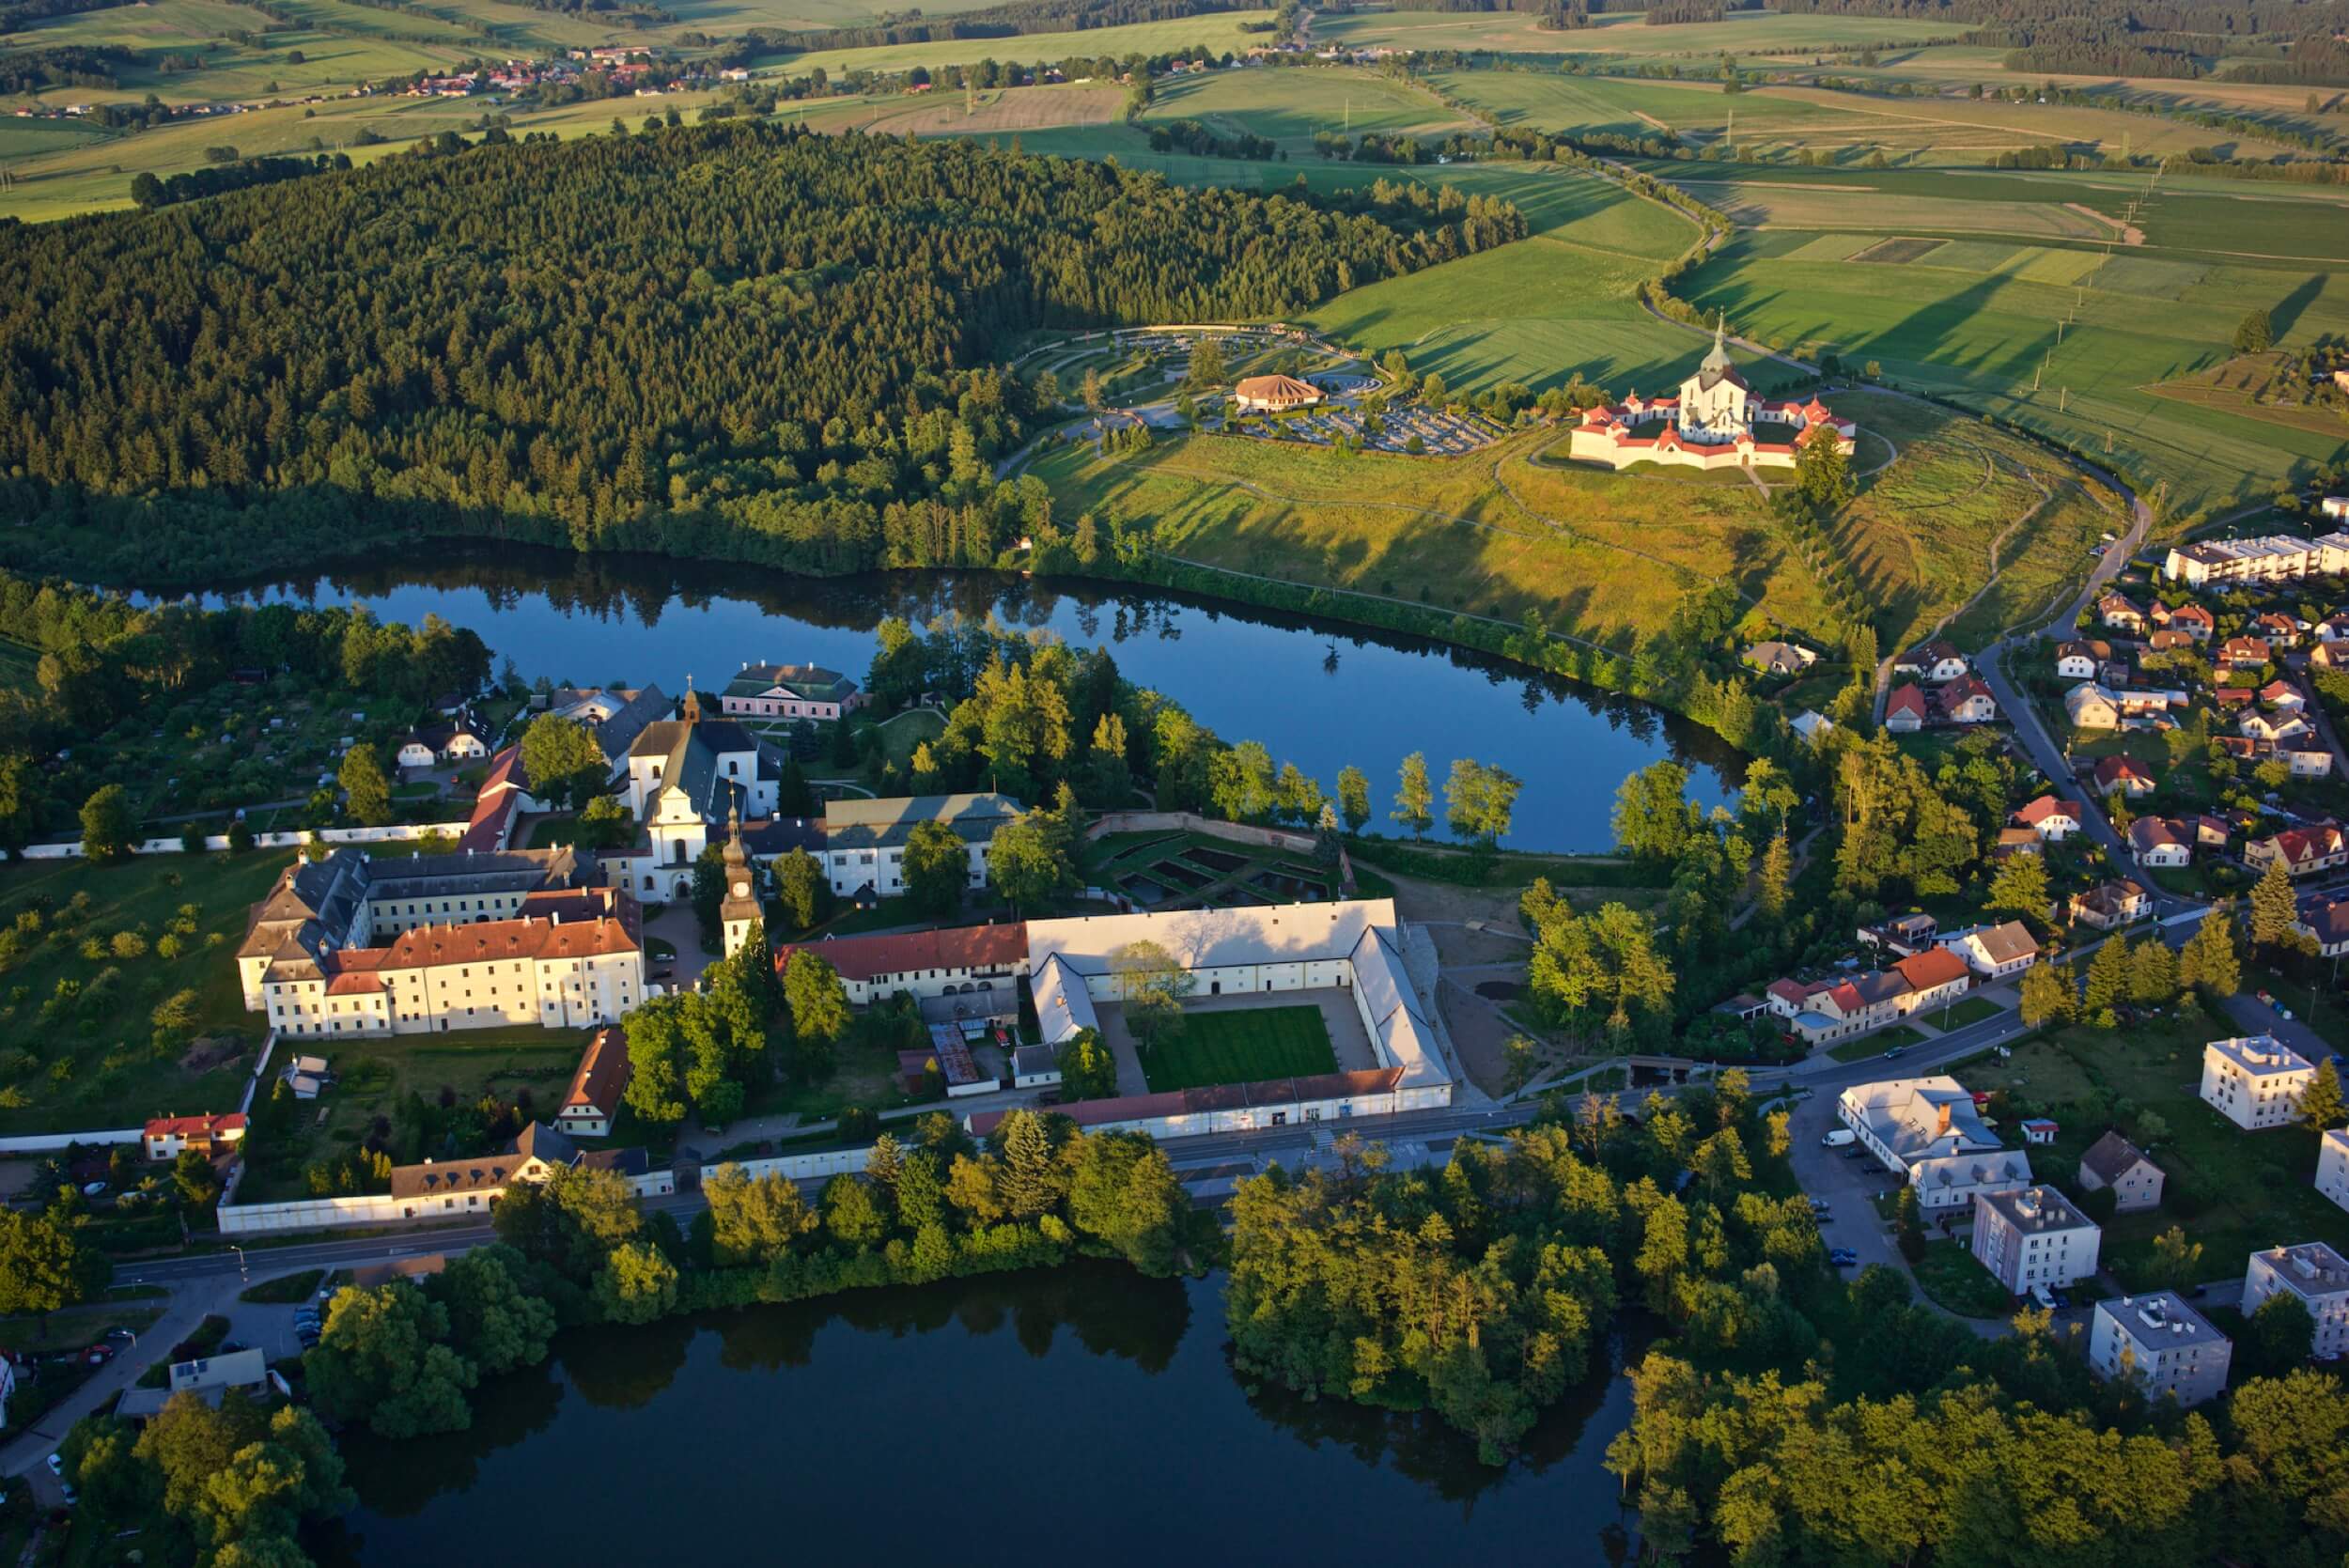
[[1317, 694]]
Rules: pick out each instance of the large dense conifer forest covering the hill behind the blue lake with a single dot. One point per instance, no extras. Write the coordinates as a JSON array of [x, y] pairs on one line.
[[729, 342]]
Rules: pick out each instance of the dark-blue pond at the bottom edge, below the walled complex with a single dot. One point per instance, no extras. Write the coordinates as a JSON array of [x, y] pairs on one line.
[[978, 1421]]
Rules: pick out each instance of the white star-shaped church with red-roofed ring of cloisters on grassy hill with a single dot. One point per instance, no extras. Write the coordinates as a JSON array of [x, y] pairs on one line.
[[1714, 424]]
